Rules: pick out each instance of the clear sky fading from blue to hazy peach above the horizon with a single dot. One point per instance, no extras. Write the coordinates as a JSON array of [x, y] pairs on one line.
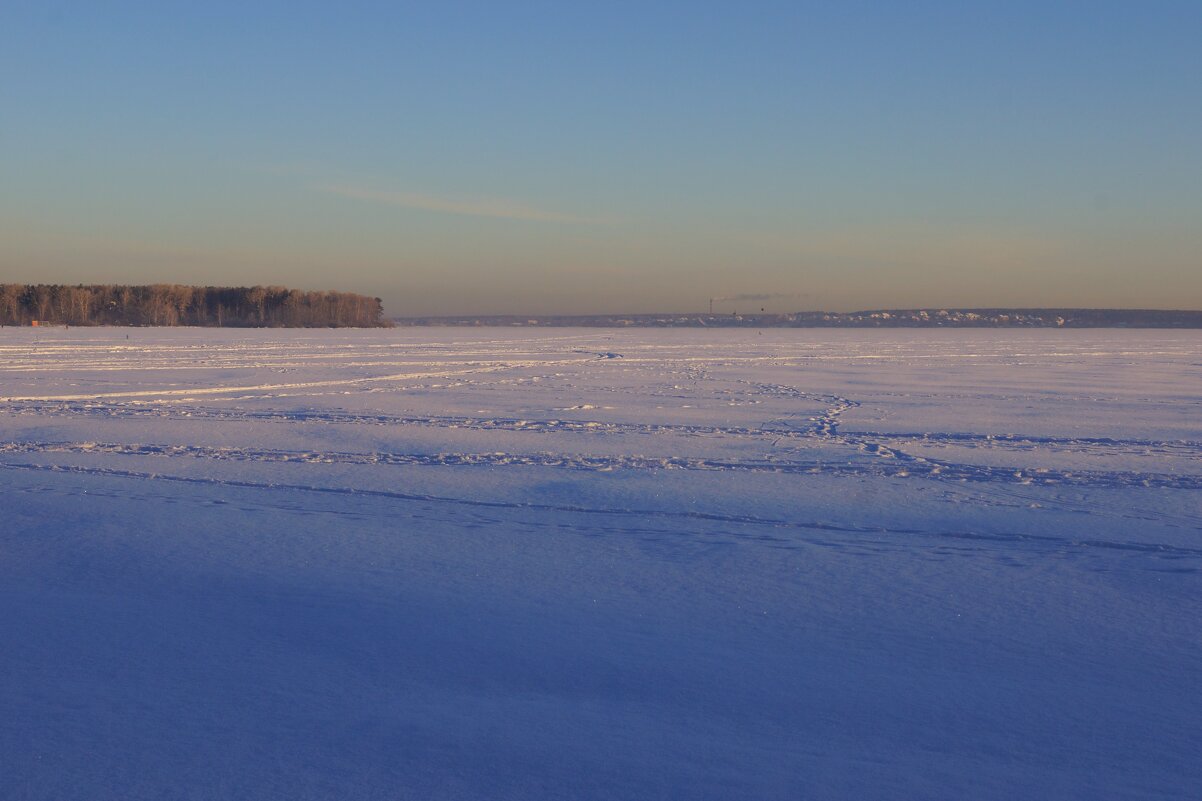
[[539, 158]]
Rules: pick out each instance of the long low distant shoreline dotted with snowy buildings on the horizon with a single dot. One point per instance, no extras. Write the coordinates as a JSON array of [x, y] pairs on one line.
[[933, 318]]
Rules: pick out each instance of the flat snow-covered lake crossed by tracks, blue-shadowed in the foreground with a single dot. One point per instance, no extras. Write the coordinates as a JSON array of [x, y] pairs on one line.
[[640, 565]]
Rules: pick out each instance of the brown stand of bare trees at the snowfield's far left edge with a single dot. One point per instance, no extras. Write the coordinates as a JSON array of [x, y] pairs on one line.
[[174, 305]]
